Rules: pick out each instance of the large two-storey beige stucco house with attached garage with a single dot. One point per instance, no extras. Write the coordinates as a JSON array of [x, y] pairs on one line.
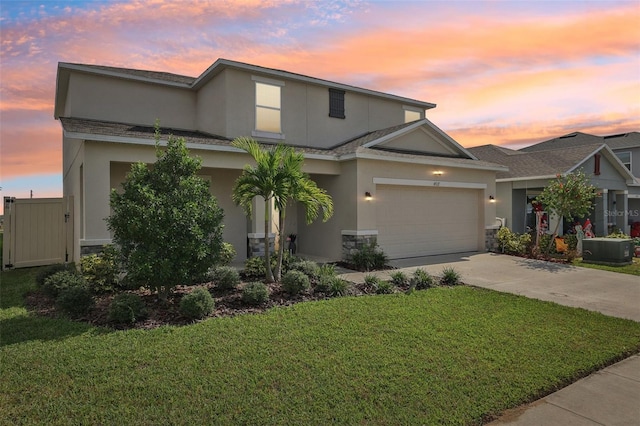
[[428, 195]]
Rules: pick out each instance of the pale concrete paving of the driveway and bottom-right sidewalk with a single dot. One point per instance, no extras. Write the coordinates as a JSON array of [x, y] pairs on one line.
[[608, 397]]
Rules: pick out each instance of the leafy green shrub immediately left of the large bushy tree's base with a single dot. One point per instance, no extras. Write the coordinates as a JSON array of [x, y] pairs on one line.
[[101, 270]]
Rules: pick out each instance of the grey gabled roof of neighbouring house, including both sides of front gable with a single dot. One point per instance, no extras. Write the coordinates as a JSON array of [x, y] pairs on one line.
[[546, 164]]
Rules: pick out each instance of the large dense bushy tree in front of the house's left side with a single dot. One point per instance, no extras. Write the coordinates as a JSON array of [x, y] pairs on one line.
[[165, 222]]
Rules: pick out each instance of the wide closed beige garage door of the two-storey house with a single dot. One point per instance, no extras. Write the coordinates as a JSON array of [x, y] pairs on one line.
[[418, 221]]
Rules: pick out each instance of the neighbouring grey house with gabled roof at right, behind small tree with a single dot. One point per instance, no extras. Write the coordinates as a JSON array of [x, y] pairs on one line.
[[607, 161]]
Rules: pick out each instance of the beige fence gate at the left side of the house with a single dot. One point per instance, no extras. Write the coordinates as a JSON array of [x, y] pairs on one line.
[[37, 231]]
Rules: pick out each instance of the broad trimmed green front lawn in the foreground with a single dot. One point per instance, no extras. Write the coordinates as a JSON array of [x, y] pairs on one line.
[[450, 355]]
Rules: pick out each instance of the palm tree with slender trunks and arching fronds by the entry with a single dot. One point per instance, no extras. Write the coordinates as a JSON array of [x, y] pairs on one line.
[[278, 176]]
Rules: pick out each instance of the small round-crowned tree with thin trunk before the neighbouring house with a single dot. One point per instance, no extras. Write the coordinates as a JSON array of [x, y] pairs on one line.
[[568, 196]]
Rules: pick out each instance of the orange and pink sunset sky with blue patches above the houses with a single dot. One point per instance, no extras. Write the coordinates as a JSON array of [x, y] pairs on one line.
[[501, 72]]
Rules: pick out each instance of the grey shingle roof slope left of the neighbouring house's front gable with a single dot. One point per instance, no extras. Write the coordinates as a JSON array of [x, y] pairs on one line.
[[537, 163]]
